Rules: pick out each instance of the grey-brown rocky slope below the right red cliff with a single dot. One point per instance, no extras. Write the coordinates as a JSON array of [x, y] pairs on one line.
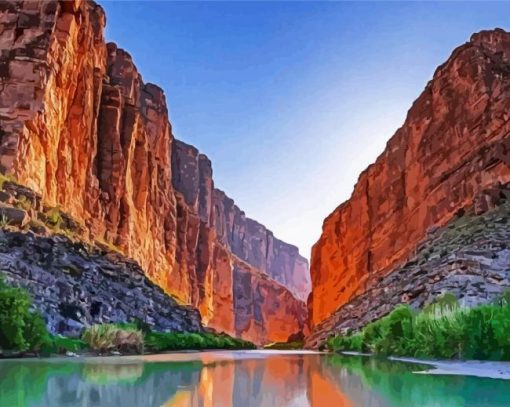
[[469, 258]]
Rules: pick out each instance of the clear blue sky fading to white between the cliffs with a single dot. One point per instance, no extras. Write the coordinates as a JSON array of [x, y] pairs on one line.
[[292, 100]]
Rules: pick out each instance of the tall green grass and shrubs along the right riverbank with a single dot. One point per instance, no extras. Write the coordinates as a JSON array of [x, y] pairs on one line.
[[442, 330]]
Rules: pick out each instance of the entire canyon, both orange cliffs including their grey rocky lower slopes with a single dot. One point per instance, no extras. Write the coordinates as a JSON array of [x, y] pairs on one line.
[[92, 173]]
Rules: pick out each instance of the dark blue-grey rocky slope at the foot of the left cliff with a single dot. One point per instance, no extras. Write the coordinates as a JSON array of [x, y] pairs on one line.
[[74, 287]]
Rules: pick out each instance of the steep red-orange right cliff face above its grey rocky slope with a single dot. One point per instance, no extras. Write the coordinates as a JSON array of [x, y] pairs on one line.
[[453, 149]]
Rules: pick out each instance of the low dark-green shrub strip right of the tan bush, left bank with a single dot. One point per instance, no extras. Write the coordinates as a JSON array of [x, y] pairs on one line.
[[164, 341]]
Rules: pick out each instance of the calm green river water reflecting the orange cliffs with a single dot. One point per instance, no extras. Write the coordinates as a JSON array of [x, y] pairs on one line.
[[240, 379]]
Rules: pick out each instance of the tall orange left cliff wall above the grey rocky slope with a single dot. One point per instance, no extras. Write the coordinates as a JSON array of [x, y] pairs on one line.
[[80, 127]]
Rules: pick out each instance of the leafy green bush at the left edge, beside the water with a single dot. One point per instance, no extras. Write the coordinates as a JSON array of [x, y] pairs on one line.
[[20, 328]]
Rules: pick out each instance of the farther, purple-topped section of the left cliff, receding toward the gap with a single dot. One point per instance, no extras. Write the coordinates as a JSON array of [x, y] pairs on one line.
[[244, 279]]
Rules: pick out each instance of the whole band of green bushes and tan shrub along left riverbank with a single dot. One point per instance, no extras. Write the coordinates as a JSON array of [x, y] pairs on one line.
[[23, 330]]
